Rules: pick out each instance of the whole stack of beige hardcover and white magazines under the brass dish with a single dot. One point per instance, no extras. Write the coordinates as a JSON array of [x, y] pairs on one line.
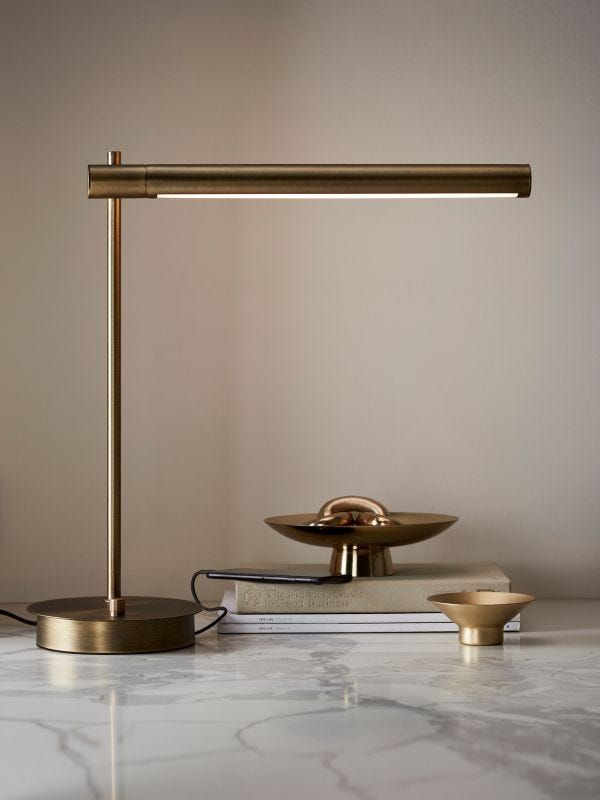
[[395, 604]]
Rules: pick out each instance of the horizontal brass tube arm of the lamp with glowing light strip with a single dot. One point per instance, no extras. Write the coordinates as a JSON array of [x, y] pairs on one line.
[[150, 181]]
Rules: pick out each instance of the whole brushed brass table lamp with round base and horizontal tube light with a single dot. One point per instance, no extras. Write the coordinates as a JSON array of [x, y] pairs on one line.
[[121, 624]]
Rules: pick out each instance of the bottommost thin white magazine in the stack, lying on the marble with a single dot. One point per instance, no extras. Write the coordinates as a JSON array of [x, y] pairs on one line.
[[394, 627]]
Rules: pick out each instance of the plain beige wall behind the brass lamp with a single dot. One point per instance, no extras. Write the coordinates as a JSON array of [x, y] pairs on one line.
[[441, 356]]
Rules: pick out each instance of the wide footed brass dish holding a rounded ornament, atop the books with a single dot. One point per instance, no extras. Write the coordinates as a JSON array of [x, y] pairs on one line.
[[360, 531]]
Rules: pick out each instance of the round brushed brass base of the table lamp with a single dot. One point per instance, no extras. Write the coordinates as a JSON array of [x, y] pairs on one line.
[[84, 625]]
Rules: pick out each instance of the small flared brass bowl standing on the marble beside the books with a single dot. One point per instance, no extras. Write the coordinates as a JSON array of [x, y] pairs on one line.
[[481, 616]]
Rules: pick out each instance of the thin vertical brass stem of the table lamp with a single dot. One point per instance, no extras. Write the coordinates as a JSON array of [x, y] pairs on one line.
[[116, 603]]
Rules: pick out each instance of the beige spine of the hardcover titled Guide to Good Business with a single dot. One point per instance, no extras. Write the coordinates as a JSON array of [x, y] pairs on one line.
[[382, 595]]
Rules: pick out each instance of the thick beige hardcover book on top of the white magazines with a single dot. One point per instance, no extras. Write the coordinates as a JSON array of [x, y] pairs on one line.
[[406, 590]]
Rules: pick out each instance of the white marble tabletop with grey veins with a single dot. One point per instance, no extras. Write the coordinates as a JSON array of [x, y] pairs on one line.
[[371, 717]]
